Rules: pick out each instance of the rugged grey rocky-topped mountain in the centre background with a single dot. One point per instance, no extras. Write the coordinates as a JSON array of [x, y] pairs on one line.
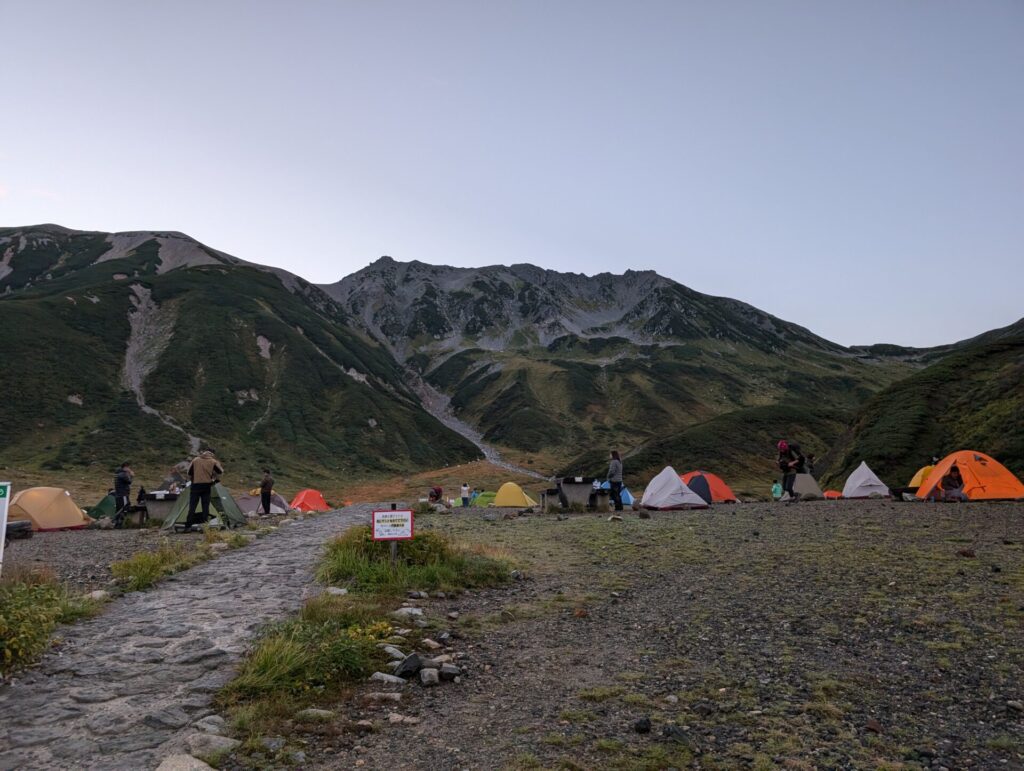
[[542, 361]]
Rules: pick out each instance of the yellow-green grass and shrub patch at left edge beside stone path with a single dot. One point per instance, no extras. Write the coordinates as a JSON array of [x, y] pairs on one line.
[[32, 604]]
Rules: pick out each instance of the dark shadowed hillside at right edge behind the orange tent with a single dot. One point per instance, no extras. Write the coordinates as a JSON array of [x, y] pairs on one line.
[[973, 399]]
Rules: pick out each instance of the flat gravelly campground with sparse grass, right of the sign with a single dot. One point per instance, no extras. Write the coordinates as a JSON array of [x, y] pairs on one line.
[[824, 635]]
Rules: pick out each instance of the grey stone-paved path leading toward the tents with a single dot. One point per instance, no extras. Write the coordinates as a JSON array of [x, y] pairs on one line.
[[123, 690]]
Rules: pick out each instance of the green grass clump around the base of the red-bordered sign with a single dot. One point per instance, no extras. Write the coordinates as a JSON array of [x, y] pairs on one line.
[[429, 562]]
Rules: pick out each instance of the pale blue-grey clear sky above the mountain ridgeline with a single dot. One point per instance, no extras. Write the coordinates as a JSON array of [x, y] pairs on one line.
[[855, 167]]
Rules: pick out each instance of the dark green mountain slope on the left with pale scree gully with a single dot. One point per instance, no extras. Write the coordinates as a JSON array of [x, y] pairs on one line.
[[142, 346]]
